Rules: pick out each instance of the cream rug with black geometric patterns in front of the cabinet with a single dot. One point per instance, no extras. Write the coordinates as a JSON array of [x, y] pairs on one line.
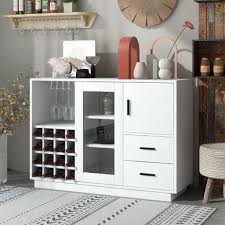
[[29, 206]]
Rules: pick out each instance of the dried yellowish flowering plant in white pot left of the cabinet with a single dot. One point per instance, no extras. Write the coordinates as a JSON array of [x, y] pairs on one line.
[[14, 110]]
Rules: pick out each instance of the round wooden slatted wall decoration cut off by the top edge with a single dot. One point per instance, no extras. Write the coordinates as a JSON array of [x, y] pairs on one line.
[[147, 13]]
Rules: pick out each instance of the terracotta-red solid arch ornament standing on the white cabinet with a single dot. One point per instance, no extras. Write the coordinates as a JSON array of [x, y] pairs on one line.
[[128, 56]]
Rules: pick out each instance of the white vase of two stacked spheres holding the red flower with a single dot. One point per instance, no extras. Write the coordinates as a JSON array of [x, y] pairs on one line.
[[165, 68]]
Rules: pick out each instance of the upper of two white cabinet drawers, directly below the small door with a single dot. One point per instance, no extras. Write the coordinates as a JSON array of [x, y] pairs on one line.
[[148, 149]]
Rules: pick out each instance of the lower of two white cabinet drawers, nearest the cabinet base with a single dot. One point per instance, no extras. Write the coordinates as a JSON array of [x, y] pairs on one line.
[[148, 175]]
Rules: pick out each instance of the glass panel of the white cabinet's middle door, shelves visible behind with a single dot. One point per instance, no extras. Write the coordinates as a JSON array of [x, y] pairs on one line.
[[98, 155]]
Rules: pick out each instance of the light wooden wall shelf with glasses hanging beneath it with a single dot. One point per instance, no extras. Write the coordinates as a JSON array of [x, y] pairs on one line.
[[52, 21]]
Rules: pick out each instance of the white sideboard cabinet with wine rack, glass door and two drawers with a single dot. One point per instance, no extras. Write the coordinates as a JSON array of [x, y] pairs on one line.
[[129, 138]]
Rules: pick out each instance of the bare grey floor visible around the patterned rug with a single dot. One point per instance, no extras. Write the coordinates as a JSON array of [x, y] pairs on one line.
[[191, 197]]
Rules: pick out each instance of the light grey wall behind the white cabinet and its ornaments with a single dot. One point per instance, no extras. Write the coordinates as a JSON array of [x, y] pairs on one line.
[[19, 51]]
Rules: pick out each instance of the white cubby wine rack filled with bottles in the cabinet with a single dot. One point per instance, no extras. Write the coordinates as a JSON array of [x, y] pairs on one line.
[[53, 154]]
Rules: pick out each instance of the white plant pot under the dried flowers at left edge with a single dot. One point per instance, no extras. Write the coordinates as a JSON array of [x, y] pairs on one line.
[[3, 159]]
